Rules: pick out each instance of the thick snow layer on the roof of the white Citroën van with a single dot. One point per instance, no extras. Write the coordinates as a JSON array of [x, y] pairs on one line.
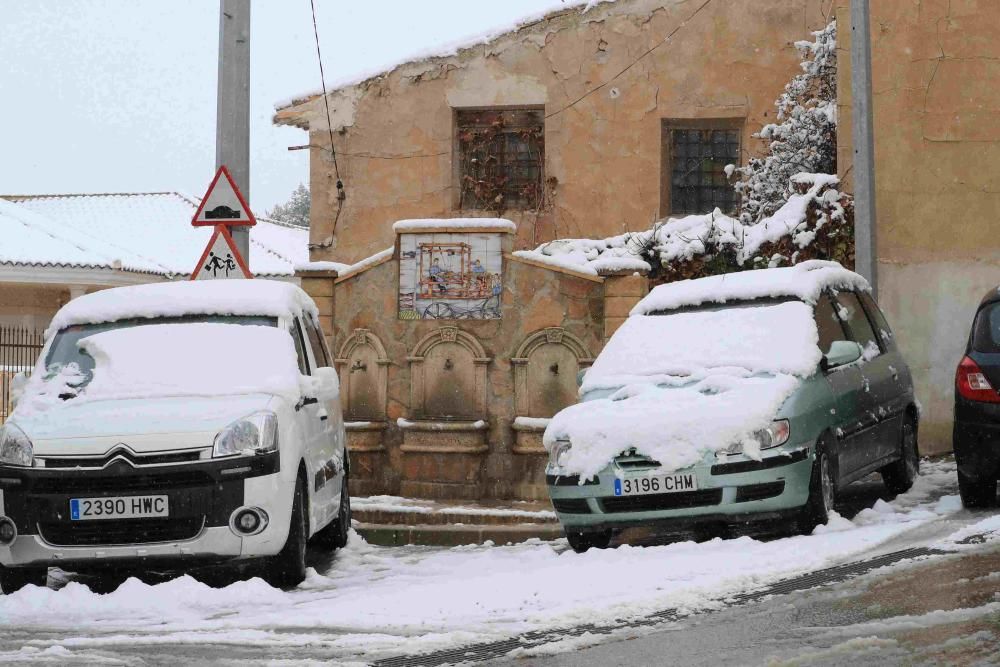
[[176, 299]]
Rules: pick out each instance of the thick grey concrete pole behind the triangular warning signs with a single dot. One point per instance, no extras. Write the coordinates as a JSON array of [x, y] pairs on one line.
[[232, 121]]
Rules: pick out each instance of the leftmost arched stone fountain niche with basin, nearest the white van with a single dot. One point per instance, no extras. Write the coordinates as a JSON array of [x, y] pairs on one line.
[[363, 367]]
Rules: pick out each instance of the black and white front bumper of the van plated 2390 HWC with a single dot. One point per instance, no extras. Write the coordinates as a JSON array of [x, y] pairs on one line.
[[202, 497]]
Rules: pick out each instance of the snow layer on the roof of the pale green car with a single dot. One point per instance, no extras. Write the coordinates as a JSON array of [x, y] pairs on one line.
[[804, 281]]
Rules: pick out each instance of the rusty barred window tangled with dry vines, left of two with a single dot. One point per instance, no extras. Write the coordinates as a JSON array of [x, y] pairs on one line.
[[501, 158]]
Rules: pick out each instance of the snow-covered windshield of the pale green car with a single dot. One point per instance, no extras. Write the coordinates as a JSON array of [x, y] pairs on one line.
[[742, 338]]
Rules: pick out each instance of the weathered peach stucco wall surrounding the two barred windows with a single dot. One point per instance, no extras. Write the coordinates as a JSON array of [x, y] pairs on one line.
[[394, 135]]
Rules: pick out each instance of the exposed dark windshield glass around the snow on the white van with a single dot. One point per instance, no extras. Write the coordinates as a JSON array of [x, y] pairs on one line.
[[64, 350]]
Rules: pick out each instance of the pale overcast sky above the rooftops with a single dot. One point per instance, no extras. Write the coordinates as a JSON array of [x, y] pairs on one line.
[[119, 95]]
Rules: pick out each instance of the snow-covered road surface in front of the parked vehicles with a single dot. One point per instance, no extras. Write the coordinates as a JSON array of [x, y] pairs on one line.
[[368, 602]]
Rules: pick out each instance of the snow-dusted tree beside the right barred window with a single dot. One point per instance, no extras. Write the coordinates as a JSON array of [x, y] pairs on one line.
[[805, 137]]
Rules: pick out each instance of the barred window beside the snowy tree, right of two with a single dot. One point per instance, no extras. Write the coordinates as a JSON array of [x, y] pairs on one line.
[[695, 157]]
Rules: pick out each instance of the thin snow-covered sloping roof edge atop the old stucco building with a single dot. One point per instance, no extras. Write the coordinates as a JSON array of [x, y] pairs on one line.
[[286, 109]]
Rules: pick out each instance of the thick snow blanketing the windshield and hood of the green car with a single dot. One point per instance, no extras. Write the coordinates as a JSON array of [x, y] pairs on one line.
[[688, 383]]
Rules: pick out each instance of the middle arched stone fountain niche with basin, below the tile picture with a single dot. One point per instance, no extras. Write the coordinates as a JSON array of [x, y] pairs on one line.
[[444, 443]]
